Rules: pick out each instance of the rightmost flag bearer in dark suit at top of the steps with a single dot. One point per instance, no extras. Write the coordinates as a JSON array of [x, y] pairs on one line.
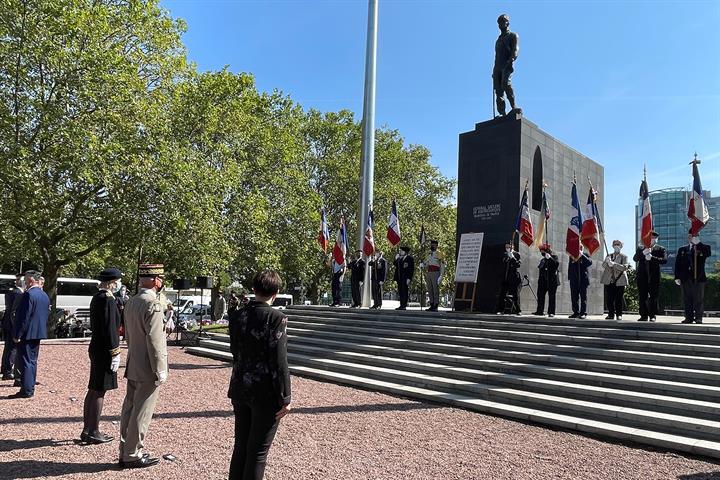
[[690, 275]]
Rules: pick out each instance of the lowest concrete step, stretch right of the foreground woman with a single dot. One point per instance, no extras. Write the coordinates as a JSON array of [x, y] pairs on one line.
[[561, 420]]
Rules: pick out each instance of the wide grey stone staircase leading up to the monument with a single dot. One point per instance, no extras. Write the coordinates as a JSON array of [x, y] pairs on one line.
[[655, 384]]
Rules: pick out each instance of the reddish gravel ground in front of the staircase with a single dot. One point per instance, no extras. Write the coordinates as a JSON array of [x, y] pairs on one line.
[[334, 433]]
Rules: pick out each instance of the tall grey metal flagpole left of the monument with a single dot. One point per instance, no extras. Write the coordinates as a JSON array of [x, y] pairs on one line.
[[368, 141]]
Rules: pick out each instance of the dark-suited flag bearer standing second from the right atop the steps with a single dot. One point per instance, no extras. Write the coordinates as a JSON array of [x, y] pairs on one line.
[[648, 276]]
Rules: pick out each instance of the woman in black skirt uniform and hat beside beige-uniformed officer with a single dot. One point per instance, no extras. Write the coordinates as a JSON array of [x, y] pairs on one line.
[[104, 352]]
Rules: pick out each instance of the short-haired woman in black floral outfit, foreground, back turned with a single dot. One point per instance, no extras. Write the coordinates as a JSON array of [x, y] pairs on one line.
[[260, 382]]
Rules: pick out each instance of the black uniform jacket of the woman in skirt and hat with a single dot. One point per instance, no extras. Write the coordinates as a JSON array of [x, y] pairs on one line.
[[104, 323]]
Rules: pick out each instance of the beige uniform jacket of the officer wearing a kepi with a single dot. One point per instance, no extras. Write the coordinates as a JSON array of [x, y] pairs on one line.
[[145, 335]]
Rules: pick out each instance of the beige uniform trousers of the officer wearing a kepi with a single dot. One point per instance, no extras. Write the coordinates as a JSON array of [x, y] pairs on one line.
[[137, 412]]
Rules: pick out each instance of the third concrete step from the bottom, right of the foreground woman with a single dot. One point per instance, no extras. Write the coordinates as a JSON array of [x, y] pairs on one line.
[[569, 389]]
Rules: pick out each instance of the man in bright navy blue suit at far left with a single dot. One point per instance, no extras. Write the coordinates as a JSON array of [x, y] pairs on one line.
[[30, 326]]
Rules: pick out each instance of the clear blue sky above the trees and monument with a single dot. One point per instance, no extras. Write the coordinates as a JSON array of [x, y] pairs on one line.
[[624, 82]]
